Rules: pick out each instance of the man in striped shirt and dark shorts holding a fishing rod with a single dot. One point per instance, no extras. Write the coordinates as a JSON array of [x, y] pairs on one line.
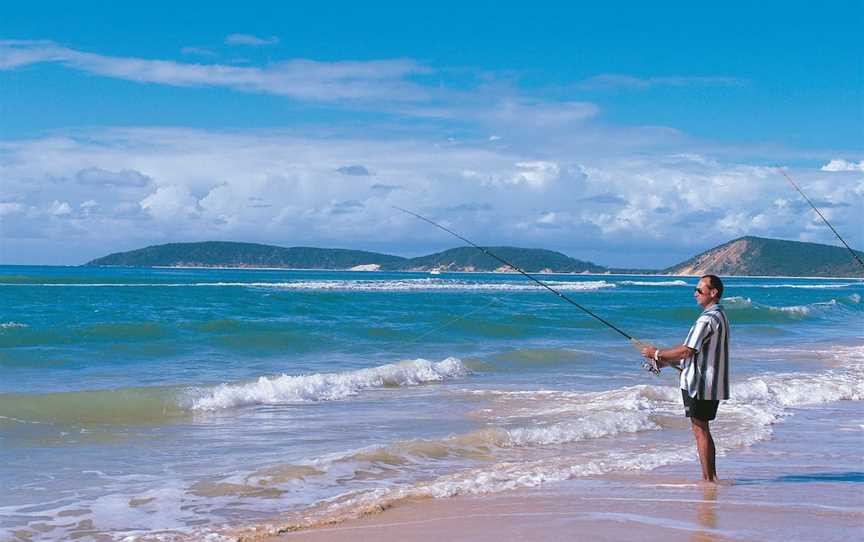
[[703, 360]]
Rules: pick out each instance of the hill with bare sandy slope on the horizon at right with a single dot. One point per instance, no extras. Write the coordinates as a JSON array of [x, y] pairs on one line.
[[771, 257]]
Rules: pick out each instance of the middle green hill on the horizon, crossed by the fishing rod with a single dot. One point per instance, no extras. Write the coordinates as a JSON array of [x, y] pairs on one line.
[[528, 259]]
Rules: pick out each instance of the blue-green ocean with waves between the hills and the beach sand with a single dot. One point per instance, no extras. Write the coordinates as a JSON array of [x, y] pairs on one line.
[[190, 404]]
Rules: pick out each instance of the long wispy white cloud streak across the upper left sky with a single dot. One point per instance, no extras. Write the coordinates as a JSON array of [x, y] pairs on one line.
[[398, 87]]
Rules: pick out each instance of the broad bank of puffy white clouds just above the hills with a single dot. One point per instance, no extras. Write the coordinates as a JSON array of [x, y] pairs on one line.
[[161, 185]]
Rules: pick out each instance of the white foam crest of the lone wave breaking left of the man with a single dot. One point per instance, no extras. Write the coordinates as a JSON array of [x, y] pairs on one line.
[[324, 386]]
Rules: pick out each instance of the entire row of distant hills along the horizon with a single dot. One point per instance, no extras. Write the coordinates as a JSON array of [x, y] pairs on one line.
[[743, 256]]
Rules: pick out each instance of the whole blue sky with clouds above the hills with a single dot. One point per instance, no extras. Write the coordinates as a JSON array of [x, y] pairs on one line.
[[630, 134]]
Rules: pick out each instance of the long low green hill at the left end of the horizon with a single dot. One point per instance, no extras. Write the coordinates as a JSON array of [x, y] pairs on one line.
[[229, 254]]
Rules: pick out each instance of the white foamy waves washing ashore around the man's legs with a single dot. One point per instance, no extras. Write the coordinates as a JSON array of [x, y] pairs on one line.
[[757, 404]]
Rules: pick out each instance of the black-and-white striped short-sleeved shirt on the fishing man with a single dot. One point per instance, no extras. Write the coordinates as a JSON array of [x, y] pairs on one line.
[[705, 372]]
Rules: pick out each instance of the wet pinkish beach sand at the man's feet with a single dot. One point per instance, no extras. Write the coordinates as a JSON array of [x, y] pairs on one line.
[[778, 489]]
